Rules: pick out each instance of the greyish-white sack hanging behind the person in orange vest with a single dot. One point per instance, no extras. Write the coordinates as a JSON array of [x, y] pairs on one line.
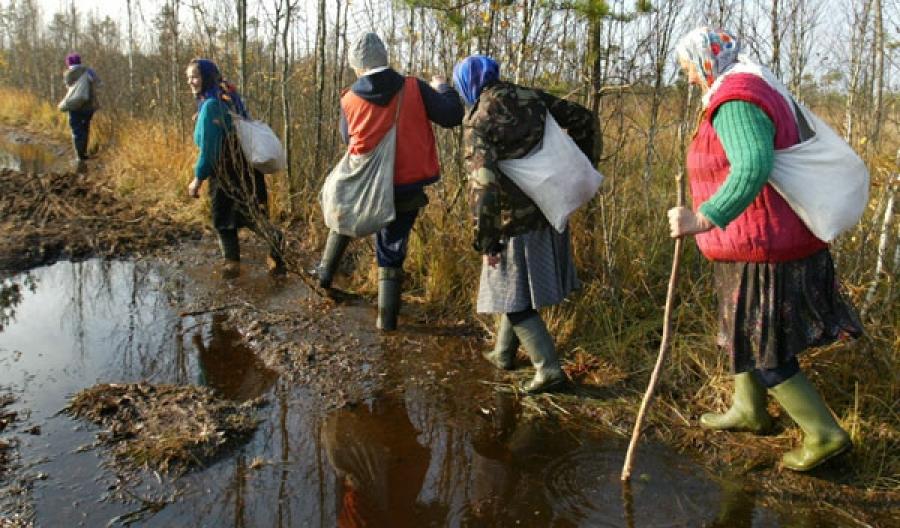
[[358, 196]]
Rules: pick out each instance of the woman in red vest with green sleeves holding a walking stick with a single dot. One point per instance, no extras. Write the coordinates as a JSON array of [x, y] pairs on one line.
[[775, 281]]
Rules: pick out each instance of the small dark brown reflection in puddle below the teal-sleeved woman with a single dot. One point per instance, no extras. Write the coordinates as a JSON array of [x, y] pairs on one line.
[[229, 366]]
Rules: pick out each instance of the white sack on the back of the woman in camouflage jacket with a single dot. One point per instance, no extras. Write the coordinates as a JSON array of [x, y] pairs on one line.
[[555, 174]]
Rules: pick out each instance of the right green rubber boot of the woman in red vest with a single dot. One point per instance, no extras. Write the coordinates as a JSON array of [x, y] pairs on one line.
[[823, 436]]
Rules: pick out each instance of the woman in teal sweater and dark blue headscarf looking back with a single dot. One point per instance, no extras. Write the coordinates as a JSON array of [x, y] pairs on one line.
[[237, 191]]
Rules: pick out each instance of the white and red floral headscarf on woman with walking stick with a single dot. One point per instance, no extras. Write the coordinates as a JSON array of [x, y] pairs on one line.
[[711, 51]]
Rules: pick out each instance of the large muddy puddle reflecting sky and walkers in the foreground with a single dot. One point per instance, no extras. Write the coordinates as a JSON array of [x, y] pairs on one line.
[[417, 453]]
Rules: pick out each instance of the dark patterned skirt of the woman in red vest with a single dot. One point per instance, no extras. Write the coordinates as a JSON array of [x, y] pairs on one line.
[[770, 312]]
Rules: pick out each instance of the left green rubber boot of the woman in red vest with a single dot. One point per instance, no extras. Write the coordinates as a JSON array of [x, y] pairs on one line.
[[748, 408]]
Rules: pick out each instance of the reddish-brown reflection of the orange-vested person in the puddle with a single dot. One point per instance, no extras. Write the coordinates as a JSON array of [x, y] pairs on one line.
[[379, 462]]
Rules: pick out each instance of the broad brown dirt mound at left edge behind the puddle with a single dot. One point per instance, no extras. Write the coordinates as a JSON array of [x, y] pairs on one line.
[[51, 216]]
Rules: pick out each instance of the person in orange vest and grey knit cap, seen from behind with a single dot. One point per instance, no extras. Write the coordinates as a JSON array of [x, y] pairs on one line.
[[367, 114]]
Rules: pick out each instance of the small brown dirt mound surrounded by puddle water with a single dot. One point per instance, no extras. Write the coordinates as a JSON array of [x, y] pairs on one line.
[[164, 427]]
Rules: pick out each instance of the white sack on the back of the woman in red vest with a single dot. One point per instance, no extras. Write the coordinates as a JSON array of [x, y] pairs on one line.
[[822, 178]]
